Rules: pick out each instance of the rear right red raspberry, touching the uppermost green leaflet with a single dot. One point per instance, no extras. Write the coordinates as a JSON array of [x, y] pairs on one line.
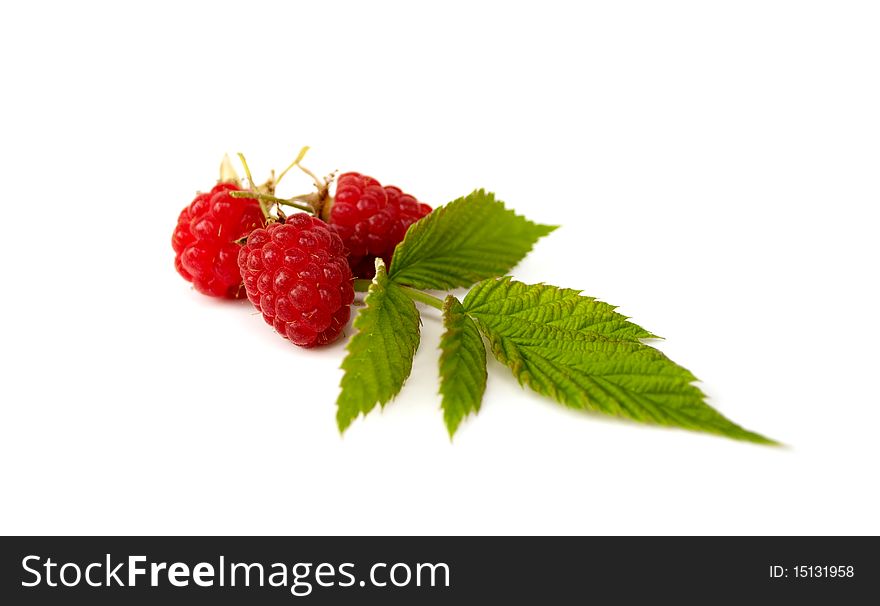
[[370, 219]]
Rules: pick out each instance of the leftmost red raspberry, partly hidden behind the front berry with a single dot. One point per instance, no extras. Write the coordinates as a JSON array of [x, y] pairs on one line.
[[204, 240]]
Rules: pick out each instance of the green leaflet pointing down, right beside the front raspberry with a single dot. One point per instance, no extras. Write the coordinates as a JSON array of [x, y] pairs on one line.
[[380, 354]]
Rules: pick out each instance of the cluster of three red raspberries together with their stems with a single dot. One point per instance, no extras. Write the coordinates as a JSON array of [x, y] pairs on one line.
[[298, 271]]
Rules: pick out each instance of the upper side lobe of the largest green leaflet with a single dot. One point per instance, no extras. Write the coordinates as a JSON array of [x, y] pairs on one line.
[[526, 305]]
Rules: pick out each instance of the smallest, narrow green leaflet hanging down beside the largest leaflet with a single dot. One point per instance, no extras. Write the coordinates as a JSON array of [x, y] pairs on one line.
[[462, 365]]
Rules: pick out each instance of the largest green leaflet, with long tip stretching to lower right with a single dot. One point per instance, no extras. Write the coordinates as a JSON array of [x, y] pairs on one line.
[[590, 361]]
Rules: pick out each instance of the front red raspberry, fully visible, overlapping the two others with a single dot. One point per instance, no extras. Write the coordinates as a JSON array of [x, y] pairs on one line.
[[296, 274]]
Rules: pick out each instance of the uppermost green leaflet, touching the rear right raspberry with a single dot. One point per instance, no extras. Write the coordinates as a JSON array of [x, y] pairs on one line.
[[465, 241]]
